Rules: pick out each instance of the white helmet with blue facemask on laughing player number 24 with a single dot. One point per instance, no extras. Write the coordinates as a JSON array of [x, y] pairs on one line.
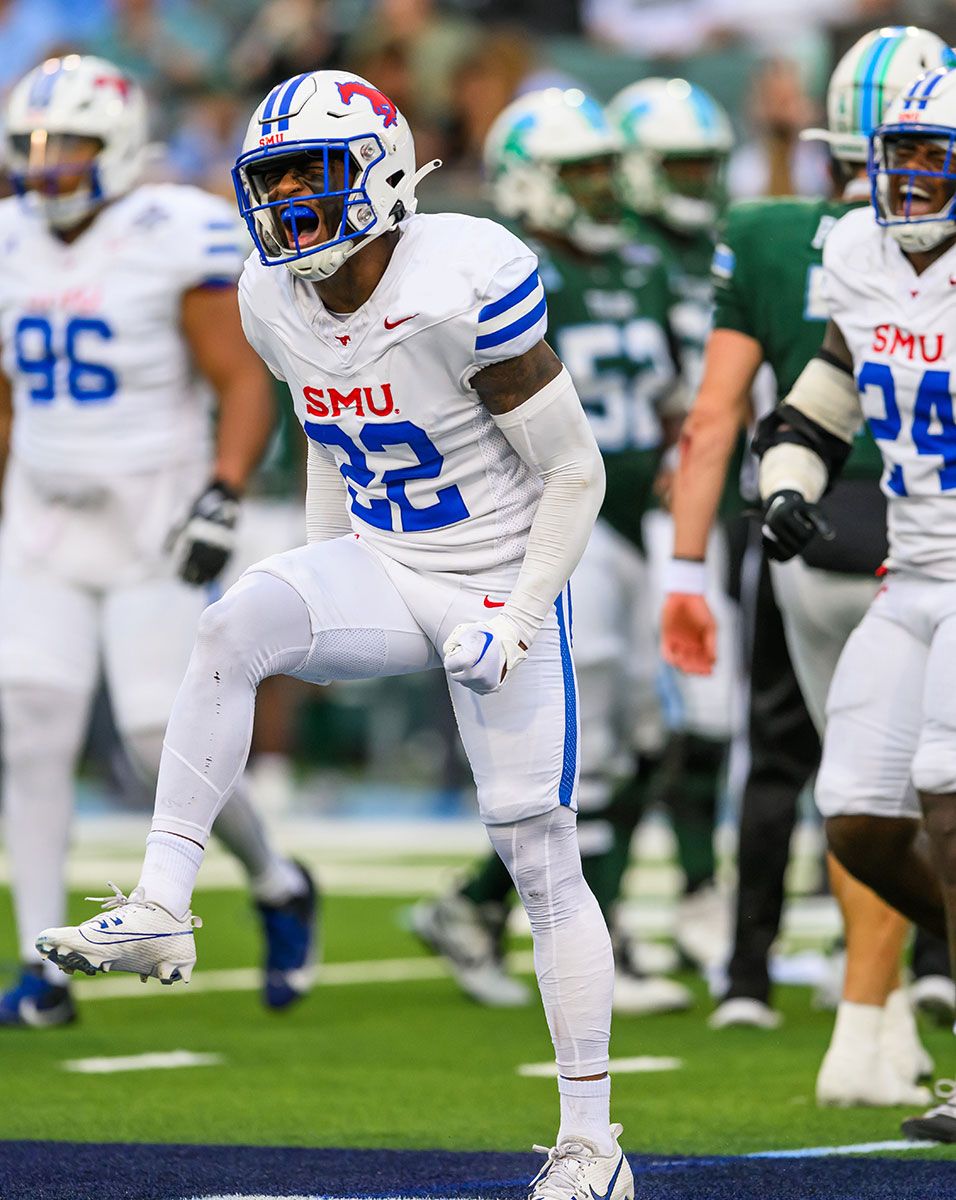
[[923, 113]]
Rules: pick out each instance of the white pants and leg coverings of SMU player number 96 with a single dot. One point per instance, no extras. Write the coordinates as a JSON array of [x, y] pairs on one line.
[[52, 644]]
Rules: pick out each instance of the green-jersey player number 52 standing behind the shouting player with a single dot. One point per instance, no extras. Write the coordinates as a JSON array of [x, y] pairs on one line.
[[551, 158]]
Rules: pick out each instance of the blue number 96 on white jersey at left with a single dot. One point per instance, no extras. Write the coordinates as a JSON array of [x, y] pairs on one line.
[[37, 343]]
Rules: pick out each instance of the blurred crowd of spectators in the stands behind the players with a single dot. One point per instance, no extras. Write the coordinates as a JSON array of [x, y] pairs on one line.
[[452, 65]]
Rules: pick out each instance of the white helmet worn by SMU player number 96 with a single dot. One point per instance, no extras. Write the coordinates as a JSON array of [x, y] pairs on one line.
[[79, 97]]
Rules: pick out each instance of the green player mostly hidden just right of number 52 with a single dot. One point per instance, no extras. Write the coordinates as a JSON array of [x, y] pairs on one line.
[[677, 141]]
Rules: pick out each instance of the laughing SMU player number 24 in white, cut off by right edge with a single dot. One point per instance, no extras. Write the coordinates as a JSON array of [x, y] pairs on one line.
[[891, 745]]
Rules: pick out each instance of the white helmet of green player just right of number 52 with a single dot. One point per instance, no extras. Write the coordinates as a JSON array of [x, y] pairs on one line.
[[664, 122]]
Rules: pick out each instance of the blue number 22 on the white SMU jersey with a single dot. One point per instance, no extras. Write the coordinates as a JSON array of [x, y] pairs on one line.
[[449, 507]]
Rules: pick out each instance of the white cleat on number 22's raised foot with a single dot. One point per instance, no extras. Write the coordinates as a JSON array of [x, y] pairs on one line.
[[135, 935]]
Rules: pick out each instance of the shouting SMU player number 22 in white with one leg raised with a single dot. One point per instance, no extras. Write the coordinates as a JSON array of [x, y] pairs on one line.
[[453, 484]]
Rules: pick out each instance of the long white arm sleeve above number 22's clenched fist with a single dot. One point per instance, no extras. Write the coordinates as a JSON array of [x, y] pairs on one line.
[[551, 434]]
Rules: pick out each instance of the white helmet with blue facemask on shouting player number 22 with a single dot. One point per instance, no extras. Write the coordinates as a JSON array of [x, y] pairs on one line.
[[354, 143]]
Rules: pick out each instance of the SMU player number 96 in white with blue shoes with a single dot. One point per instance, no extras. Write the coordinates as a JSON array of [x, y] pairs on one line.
[[119, 327]]
